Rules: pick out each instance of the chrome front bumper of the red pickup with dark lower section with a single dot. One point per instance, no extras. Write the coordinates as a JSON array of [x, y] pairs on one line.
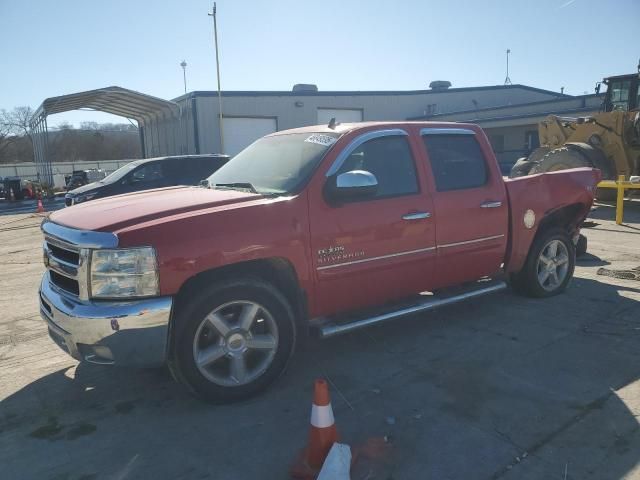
[[131, 333]]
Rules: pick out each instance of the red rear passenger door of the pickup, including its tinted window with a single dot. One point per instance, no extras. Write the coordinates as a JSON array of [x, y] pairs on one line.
[[470, 204]]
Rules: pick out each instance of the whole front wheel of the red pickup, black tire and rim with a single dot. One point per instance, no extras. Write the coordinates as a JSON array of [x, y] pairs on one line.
[[235, 362]]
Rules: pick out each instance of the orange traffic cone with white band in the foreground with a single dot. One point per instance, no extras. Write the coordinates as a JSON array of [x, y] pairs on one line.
[[322, 436]]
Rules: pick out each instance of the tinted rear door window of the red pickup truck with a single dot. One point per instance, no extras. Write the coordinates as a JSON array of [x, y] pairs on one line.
[[456, 161]]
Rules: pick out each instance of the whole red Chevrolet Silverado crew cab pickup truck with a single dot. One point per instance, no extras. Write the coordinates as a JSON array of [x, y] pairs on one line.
[[319, 229]]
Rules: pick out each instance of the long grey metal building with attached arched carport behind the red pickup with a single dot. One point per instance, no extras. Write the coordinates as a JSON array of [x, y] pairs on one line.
[[190, 123]]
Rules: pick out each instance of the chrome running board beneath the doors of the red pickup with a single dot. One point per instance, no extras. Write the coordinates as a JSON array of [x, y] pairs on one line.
[[330, 327]]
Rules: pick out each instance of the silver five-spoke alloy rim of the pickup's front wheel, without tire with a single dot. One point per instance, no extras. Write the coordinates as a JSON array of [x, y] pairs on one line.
[[235, 343]]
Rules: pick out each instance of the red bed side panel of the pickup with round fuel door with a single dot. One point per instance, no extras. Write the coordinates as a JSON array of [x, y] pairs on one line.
[[562, 198]]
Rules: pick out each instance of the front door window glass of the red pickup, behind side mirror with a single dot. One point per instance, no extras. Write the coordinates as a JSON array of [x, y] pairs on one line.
[[390, 160]]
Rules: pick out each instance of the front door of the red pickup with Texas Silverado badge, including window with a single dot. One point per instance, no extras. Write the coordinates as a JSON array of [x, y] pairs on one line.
[[374, 250]]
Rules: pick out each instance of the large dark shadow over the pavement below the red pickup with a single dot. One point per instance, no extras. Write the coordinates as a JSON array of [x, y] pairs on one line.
[[463, 392]]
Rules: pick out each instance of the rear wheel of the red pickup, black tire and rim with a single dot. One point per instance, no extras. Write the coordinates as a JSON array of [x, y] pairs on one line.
[[531, 280]]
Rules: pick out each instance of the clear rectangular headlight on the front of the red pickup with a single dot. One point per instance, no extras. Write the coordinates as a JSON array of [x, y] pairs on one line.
[[128, 272]]
